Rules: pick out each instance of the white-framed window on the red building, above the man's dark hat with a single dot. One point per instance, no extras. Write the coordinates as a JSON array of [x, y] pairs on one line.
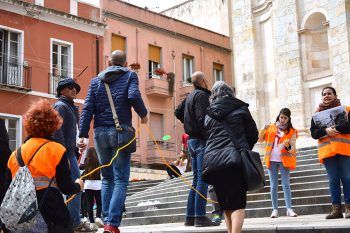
[[61, 63]]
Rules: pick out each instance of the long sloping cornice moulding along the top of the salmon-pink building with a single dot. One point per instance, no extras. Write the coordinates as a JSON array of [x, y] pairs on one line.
[[177, 35]]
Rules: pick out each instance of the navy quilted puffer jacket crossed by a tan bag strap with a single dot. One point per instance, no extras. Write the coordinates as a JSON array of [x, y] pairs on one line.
[[124, 86]]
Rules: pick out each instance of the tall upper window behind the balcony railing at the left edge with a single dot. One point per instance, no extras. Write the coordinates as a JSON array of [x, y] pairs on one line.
[[10, 49]]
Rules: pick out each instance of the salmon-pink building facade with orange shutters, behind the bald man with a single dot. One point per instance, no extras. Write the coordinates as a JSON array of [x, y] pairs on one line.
[[154, 41]]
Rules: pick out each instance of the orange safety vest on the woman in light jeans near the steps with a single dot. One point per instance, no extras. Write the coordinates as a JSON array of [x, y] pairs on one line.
[[288, 158]]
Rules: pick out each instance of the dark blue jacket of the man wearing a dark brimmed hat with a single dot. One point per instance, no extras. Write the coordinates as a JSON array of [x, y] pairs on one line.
[[67, 134]]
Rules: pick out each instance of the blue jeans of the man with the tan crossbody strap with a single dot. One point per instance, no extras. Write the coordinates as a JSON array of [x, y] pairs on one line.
[[115, 178]]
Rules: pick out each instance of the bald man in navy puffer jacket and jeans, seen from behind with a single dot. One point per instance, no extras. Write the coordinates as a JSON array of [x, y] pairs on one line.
[[124, 86]]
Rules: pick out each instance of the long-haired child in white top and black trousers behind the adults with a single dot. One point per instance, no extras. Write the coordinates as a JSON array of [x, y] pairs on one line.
[[93, 188]]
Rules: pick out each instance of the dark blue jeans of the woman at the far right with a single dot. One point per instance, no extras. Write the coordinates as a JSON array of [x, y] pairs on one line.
[[338, 169]]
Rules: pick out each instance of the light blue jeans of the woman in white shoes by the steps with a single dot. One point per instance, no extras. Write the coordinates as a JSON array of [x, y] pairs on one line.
[[285, 175]]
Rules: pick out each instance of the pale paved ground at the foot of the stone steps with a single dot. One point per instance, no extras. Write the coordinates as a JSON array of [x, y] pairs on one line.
[[307, 223]]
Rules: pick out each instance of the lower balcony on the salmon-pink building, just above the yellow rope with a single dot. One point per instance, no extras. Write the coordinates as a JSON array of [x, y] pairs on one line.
[[167, 151]]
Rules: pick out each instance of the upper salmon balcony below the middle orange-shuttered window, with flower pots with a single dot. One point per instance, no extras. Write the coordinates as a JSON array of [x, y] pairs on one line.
[[157, 86]]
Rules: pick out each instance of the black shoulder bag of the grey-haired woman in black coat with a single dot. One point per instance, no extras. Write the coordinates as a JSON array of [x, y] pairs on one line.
[[253, 170]]
